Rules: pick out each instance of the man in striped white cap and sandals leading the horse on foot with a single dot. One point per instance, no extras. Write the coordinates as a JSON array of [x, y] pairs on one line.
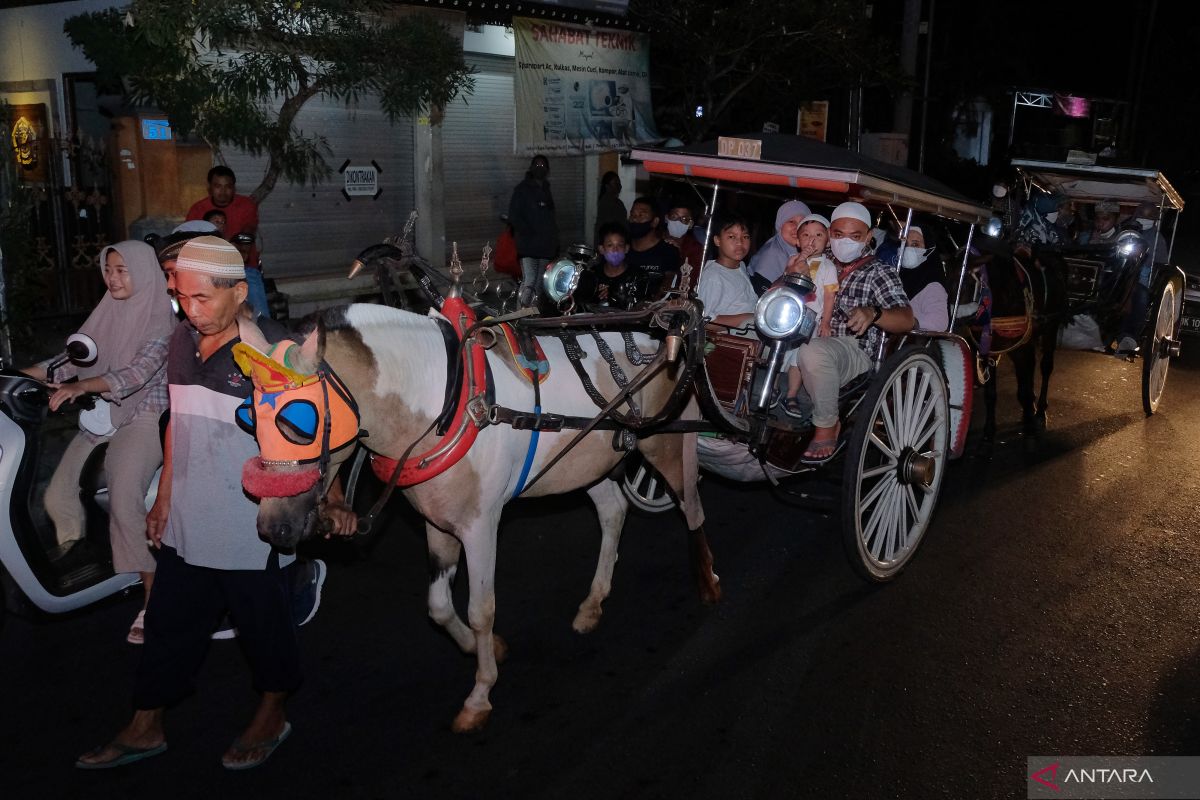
[[212, 560]]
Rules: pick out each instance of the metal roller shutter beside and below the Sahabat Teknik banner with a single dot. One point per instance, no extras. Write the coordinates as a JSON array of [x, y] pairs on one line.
[[481, 170]]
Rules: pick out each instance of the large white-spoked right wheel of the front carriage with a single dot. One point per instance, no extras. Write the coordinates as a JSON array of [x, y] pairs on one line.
[[895, 466]]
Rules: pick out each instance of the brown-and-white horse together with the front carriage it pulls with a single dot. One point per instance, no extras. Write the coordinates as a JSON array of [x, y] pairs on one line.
[[472, 407]]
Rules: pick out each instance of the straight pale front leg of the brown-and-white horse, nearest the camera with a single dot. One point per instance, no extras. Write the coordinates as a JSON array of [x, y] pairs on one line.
[[479, 540]]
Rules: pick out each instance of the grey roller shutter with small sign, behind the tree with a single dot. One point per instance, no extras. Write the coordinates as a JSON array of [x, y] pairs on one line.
[[315, 230]]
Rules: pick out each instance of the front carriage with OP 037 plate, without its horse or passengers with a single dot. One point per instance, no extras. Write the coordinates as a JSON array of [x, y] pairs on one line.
[[903, 422]]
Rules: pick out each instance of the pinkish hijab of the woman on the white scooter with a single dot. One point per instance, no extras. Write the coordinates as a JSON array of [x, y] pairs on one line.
[[123, 327]]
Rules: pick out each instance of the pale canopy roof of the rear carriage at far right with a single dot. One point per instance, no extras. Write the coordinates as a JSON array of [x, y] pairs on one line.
[[1093, 184]]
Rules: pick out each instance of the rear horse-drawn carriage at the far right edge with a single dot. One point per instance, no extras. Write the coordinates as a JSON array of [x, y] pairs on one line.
[[1124, 280]]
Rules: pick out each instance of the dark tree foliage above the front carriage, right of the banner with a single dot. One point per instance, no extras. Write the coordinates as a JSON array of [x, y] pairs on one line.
[[754, 62]]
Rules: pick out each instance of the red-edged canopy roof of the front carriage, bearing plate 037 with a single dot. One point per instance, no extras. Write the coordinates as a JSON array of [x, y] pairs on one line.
[[817, 170]]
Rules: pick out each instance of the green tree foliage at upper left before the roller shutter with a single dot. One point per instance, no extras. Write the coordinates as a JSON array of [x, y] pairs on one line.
[[238, 73]]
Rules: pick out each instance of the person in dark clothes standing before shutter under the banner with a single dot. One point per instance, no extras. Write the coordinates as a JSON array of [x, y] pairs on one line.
[[535, 227]]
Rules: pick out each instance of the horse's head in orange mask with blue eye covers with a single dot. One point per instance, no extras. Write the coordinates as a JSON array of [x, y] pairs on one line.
[[302, 416]]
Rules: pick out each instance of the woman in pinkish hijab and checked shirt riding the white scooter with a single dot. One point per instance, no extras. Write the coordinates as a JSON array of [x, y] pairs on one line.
[[131, 327]]
